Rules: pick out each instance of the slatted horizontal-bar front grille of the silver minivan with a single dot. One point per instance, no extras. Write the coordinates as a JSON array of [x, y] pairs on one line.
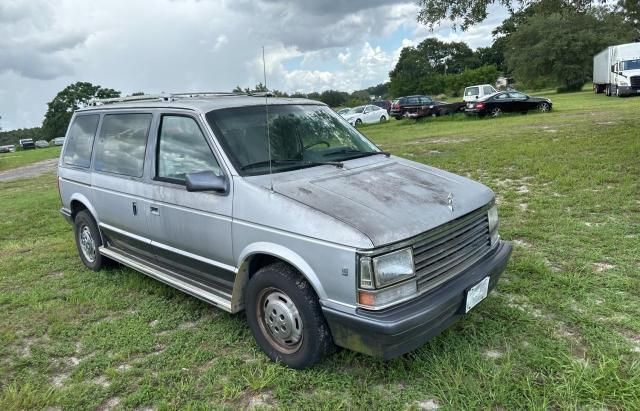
[[448, 250]]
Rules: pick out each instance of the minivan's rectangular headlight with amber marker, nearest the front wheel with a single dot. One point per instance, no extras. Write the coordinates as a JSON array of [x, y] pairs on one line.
[[389, 272]]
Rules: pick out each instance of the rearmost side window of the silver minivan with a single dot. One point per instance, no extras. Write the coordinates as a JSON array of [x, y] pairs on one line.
[[80, 141]]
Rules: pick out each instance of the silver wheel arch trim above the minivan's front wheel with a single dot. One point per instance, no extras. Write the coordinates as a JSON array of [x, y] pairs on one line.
[[258, 255]]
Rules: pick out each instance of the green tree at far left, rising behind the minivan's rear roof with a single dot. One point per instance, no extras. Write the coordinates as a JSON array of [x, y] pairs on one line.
[[73, 97]]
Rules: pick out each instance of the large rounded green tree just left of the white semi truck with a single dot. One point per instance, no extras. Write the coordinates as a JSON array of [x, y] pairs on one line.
[[558, 49]]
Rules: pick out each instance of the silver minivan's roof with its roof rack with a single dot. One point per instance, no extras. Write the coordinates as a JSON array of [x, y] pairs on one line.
[[197, 102]]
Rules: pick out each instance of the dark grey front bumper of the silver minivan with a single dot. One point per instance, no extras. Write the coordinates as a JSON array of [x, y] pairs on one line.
[[398, 330]]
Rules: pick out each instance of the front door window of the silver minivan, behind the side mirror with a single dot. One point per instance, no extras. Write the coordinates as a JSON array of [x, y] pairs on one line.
[[182, 149]]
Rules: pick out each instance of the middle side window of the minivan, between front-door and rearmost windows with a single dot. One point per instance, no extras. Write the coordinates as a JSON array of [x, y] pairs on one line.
[[121, 146]]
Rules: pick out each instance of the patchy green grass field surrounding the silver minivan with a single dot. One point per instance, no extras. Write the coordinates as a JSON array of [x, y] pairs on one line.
[[562, 330]]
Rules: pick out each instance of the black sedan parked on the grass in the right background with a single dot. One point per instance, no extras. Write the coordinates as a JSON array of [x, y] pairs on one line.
[[507, 102]]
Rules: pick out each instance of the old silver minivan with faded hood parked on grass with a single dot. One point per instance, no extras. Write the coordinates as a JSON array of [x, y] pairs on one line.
[[280, 208]]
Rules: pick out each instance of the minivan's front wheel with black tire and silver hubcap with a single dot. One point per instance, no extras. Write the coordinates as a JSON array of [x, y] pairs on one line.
[[281, 290]]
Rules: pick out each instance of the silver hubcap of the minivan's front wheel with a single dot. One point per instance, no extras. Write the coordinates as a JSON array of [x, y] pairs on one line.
[[281, 319]]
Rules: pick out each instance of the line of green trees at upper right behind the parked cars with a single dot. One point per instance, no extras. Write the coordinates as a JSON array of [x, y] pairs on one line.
[[543, 43]]
